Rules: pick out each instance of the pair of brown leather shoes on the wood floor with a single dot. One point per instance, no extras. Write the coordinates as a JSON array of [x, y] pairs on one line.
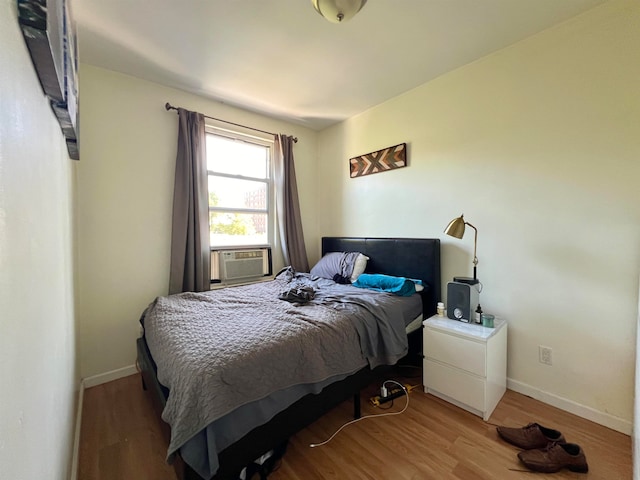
[[545, 449]]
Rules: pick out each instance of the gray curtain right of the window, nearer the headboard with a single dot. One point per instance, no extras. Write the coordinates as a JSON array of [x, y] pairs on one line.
[[288, 206]]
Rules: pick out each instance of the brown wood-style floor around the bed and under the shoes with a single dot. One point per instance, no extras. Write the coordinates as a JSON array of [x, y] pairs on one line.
[[121, 439]]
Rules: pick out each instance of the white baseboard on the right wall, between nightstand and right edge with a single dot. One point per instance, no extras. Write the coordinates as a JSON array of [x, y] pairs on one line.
[[601, 418]]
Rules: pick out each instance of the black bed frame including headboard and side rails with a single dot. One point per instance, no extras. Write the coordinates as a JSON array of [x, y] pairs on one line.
[[409, 257]]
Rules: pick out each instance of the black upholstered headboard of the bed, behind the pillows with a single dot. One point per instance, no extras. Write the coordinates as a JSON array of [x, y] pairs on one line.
[[403, 257]]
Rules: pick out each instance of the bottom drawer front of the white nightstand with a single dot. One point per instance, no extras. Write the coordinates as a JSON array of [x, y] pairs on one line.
[[455, 383]]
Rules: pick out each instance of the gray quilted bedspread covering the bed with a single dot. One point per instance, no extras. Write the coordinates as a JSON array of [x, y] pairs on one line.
[[221, 350]]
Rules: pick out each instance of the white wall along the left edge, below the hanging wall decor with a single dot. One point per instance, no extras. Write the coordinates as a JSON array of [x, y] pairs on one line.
[[38, 379]]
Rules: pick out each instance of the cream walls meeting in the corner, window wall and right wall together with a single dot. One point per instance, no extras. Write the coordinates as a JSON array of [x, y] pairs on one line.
[[537, 145]]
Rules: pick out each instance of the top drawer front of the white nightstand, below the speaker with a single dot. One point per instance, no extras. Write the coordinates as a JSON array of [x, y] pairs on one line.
[[456, 351]]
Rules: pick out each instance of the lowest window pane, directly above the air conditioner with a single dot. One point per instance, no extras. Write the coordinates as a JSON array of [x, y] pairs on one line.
[[235, 229]]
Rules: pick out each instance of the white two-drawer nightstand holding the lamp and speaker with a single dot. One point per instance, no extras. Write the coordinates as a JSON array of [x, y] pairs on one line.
[[465, 363]]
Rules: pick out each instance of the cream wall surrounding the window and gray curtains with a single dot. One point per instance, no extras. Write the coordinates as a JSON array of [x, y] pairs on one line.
[[125, 194]]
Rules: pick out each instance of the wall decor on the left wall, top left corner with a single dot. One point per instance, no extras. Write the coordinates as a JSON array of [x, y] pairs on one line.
[[50, 35]]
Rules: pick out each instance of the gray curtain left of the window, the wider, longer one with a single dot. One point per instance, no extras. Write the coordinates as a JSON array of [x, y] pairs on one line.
[[190, 251]]
